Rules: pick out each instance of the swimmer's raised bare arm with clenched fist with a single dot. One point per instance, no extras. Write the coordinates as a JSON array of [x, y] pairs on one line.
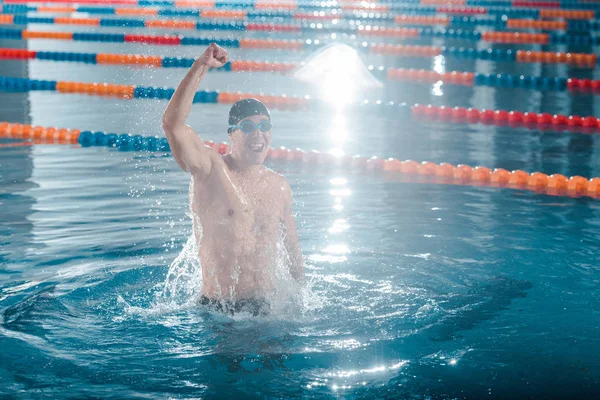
[[189, 151]]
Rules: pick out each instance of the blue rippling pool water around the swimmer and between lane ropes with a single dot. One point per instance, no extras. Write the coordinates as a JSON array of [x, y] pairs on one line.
[[417, 290]]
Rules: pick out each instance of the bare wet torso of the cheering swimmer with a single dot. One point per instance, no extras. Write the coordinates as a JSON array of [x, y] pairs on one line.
[[240, 213]]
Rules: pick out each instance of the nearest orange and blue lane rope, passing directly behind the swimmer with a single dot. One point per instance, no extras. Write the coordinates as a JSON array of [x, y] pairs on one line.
[[424, 172]]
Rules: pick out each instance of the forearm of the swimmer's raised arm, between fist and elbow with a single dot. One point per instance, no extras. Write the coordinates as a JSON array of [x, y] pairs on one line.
[[181, 103]]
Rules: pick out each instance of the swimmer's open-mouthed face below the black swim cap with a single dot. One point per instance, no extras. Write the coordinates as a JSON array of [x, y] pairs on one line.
[[251, 147]]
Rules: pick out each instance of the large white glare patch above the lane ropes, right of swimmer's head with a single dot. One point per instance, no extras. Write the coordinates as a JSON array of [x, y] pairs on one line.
[[339, 72]]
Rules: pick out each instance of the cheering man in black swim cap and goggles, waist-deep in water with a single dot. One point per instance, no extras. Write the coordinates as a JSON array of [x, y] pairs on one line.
[[243, 207]]
